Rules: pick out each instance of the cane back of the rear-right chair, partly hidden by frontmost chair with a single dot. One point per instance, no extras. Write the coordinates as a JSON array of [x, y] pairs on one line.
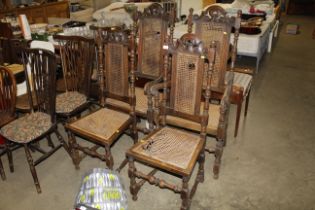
[[214, 25]]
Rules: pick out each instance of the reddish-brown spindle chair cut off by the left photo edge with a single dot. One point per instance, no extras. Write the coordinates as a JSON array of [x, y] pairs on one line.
[[7, 110]]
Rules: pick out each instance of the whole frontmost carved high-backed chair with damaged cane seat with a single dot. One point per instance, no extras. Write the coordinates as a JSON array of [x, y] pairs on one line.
[[171, 149]]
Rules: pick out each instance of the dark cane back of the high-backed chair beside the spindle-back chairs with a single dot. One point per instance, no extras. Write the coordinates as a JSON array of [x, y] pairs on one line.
[[114, 68]]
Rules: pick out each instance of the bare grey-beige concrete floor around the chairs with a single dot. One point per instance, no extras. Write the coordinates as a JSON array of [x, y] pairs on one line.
[[270, 165]]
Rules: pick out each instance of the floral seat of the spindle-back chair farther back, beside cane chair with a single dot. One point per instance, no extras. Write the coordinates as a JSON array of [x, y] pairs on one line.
[[69, 101]]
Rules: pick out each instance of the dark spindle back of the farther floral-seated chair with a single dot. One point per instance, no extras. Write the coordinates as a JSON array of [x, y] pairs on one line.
[[77, 56]]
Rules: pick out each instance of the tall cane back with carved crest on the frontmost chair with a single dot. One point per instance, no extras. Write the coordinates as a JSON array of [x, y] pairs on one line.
[[189, 60]]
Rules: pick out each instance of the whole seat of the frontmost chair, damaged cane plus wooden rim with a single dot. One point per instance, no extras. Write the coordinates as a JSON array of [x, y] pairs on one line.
[[176, 148]]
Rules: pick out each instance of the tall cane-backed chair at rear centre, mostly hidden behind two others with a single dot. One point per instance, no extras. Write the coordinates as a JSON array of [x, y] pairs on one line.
[[152, 33]]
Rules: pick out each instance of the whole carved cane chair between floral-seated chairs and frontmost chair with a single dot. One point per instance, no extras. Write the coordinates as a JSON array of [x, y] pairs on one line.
[[116, 78]]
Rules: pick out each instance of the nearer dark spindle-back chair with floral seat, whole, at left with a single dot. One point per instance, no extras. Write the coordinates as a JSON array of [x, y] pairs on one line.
[[29, 129]]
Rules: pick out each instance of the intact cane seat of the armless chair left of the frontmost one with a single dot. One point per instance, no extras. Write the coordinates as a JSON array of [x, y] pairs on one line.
[[96, 124]]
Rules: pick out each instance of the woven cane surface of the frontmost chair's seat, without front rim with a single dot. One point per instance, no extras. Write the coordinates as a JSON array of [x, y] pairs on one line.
[[169, 145]]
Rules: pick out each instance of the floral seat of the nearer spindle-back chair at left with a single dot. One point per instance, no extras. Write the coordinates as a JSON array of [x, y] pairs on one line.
[[27, 128]]
